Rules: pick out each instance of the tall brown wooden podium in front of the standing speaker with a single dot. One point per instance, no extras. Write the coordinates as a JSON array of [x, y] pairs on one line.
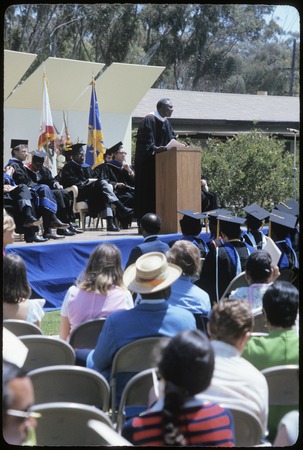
[[178, 185]]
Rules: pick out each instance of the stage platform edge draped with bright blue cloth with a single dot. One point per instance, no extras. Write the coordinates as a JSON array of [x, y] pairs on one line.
[[53, 266]]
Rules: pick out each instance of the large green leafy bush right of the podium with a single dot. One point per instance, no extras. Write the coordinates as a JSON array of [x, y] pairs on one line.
[[249, 168]]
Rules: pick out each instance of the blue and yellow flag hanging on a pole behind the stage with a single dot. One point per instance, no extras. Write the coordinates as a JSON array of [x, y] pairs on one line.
[[95, 148]]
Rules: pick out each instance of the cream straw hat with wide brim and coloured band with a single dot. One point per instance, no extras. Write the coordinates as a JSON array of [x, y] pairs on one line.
[[151, 273]]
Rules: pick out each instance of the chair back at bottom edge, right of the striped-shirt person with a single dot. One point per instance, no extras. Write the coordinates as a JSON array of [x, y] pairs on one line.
[[247, 427]]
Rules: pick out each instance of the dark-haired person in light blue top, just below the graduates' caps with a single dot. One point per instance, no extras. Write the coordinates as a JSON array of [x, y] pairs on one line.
[[259, 273]]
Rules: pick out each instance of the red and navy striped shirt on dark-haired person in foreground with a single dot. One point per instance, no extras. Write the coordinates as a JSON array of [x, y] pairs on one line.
[[206, 424]]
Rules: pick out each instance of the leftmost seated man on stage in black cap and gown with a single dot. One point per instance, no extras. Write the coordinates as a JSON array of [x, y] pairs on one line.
[[43, 198]]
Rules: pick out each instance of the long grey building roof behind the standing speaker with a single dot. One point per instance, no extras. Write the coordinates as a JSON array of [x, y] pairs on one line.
[[210, 108]]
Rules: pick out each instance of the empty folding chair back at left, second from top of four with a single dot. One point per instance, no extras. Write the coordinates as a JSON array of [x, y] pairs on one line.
[[46, 351]]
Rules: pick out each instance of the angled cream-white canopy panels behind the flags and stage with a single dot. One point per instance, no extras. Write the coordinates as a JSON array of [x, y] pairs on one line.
[[119, 89]]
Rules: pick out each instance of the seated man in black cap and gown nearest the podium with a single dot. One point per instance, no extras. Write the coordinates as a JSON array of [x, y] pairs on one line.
[[120, 175]]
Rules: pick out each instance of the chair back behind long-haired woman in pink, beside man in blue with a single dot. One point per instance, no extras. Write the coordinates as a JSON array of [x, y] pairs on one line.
[[86, 334]]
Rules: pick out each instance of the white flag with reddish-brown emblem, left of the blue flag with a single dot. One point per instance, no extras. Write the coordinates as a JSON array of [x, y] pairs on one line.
[[47, 130]]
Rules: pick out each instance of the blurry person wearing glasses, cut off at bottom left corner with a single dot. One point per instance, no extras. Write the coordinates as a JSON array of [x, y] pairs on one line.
[[17, 399]]
